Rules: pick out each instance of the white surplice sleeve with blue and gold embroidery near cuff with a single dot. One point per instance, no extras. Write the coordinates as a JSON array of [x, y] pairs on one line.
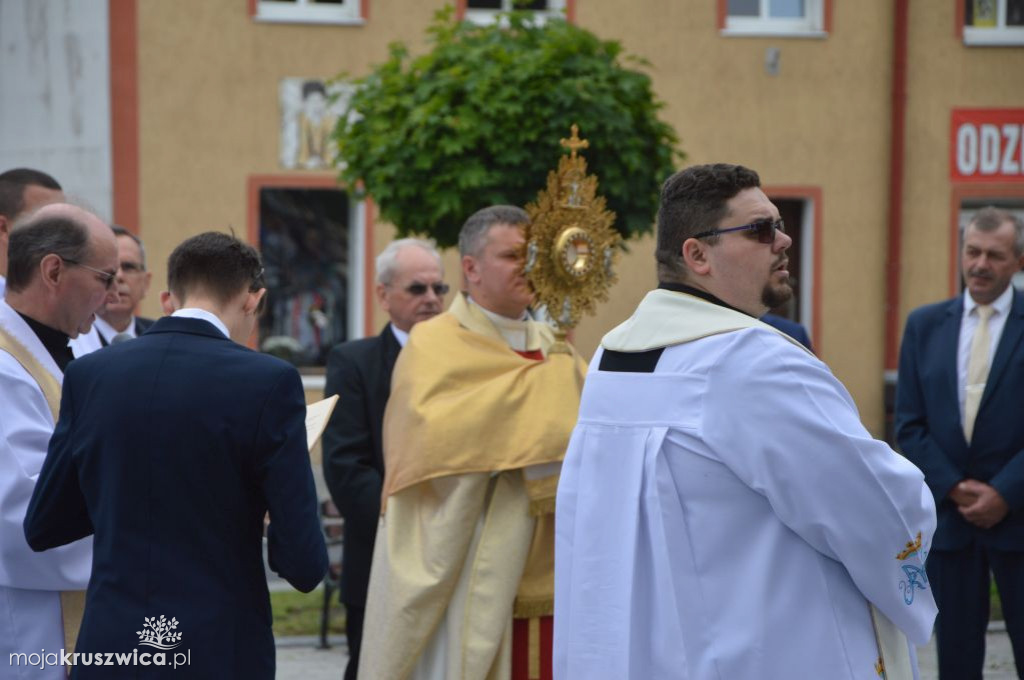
[[790, 431]]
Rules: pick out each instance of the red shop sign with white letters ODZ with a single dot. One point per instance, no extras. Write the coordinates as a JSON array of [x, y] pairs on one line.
[[988, 145]]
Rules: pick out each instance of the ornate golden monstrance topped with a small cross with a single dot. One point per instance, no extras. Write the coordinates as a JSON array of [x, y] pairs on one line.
[[572, 246]]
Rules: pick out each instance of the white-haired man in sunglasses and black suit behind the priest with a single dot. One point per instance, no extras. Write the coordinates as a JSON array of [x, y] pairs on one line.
[[411, 289]]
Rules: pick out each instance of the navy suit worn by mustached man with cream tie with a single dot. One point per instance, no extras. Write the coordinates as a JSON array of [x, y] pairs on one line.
[[930, 433]]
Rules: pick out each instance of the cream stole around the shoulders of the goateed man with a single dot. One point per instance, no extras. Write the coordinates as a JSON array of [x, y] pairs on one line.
[[666, 318]]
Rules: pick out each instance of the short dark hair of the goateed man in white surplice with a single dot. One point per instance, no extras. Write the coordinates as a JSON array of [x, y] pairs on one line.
[[694, 201]]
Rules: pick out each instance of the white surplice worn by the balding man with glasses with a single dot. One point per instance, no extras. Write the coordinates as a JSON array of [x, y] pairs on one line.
[[30, 582]]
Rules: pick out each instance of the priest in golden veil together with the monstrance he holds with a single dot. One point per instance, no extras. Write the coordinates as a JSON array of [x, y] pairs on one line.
[[483, 402]]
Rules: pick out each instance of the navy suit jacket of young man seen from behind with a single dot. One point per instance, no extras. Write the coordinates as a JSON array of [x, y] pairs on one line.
[[172, 450]]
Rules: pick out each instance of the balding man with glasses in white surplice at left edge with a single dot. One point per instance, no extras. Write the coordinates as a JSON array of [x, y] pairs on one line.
[[62, 264]]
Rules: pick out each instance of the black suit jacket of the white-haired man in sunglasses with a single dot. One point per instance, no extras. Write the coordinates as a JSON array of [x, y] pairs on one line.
[[360, 373]]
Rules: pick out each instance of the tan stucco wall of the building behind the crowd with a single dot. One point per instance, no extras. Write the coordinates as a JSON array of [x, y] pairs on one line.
[[209, 119]]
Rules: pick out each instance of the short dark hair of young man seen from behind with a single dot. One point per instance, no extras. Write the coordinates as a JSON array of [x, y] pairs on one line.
[[218, 265]]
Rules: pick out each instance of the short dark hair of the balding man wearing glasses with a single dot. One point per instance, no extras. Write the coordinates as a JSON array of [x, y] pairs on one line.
[[30, 243]]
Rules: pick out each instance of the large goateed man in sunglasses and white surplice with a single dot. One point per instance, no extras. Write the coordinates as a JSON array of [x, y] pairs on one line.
[[722, 512]]
